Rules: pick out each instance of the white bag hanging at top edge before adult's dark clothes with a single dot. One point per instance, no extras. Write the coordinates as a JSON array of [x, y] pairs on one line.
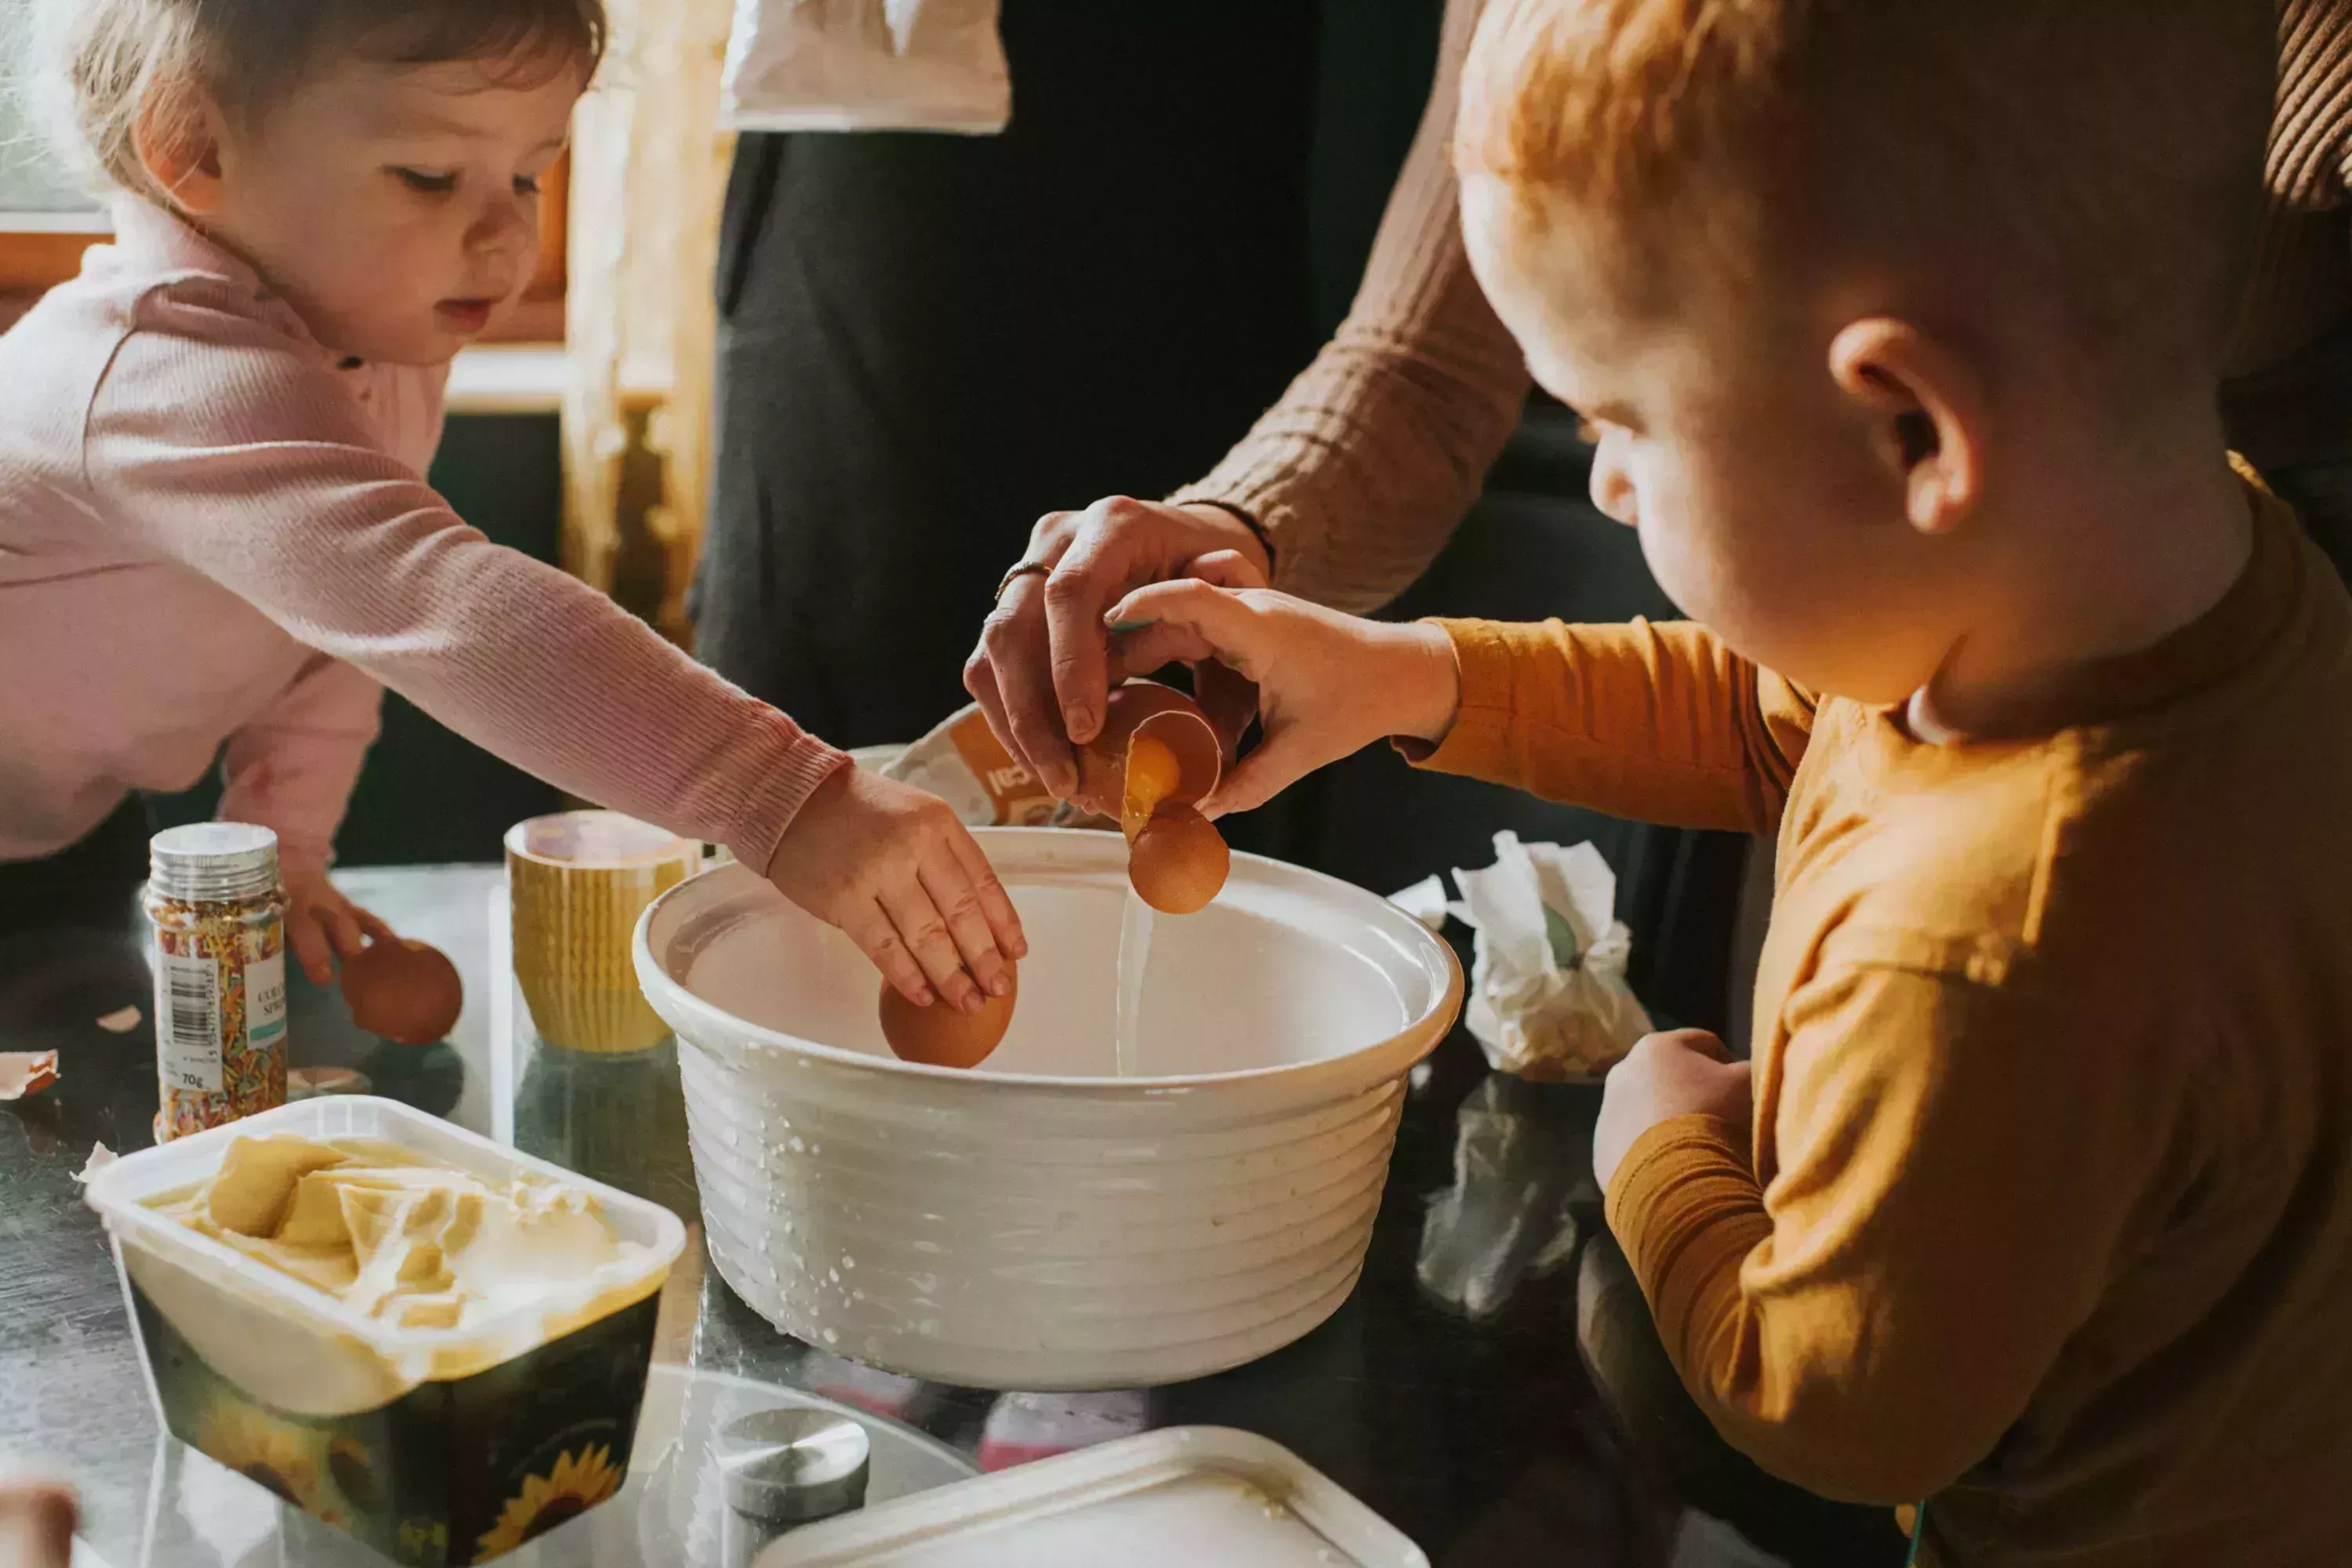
[[867, 67]]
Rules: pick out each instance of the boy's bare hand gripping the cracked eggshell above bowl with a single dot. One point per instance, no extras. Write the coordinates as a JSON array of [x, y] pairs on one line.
[[1328, 685]]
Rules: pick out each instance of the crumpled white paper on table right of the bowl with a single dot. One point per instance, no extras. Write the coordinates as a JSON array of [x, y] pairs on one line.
[[1549, 998]]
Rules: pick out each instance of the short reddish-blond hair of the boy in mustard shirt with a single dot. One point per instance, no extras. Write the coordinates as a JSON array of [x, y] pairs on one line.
[[2102, 159]]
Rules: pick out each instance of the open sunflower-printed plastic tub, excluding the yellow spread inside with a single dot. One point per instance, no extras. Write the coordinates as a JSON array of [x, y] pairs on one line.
[[436, 1447]]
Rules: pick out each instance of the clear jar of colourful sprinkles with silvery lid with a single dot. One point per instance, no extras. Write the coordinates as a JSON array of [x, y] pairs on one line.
[[220, 974]]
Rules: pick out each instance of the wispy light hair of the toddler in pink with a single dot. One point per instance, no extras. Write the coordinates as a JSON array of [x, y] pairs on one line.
[[112, 65]]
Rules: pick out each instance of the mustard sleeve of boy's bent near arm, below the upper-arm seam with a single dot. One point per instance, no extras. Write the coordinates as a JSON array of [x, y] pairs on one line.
[[1956, 1172]]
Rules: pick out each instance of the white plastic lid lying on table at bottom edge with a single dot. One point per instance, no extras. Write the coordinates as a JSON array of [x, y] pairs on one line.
[[1170, 1499]]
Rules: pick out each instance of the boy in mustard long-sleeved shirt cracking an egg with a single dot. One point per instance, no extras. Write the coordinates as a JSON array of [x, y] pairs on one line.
[[1899, 330]]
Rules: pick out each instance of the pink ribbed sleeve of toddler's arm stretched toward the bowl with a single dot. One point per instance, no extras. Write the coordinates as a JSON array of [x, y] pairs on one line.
[[253, 464]]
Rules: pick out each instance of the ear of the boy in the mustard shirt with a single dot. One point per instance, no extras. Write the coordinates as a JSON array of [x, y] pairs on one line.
[[1927, 417]]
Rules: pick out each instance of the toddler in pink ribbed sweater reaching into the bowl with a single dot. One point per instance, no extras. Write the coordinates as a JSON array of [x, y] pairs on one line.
[[215, 537]]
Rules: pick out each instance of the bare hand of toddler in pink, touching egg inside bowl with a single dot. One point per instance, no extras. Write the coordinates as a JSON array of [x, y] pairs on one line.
[[907, 883]]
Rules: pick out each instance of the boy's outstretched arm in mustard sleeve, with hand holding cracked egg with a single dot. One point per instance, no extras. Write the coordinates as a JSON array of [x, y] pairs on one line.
[[1657, 723]]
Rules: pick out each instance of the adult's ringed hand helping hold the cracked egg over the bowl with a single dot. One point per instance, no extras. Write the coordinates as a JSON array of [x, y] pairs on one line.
[[1045, 664]]
